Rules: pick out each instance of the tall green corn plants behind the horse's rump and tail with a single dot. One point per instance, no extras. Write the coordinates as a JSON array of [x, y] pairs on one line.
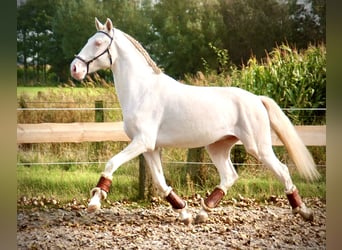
[[293, 79]]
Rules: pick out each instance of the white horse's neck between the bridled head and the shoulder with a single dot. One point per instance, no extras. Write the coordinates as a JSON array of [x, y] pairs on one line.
[[132, 75]]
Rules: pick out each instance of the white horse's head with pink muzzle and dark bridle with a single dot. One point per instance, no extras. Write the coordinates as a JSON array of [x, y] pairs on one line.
[[97, 53]]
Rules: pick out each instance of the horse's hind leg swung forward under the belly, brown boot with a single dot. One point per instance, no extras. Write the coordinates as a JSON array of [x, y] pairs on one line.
[[219, 153]]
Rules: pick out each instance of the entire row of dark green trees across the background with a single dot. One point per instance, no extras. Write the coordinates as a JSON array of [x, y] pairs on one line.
[[178, 34]]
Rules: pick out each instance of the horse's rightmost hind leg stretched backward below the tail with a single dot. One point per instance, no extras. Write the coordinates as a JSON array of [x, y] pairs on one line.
[[267, 156]]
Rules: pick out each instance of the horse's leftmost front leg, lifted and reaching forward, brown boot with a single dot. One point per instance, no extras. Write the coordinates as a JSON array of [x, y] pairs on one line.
[[99, 193]]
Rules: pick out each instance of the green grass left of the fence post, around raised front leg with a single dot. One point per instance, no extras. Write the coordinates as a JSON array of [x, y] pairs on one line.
[[66, 183]]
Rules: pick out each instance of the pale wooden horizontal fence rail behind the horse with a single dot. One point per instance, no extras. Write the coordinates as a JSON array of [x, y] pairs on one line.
[[113, 131]]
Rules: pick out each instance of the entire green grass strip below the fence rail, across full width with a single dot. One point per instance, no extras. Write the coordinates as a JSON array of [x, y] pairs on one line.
[[66, 183]]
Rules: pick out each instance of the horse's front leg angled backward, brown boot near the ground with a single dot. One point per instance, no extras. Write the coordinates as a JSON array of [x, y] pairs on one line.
[[178, 205]]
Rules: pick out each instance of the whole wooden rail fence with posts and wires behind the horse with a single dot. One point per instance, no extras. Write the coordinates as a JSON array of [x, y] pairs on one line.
[[98, 131]]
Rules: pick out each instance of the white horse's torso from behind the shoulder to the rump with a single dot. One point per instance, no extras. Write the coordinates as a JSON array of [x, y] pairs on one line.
[[197, 116]]
